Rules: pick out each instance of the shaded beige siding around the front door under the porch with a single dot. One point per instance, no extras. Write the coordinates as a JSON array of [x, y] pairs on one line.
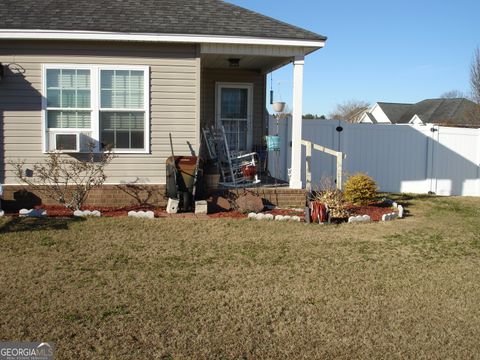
[[211, 76]]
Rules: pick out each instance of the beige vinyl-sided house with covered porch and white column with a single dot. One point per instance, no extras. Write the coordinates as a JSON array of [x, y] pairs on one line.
[[131, 72]]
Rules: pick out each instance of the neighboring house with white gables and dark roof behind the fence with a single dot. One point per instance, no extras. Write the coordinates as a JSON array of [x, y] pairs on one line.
[[447, 112]]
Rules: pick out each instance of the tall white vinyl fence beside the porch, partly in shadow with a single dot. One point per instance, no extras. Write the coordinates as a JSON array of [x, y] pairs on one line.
[[400, 158]]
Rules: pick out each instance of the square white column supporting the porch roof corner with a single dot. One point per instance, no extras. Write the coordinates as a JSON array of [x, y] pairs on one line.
[[296, 175]]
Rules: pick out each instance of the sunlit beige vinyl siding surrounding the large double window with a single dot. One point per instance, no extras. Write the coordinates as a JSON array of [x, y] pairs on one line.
[[174, 95]]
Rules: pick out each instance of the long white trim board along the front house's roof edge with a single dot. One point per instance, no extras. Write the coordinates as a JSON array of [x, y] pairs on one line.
[[19, 34]]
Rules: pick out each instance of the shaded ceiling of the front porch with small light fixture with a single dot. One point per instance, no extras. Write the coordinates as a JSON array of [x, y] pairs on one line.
[[264, 64]]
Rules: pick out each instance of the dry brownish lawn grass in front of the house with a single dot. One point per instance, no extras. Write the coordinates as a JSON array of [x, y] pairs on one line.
[[237, 289]]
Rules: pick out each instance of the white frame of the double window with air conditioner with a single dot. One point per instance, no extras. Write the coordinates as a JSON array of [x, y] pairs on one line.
[[95, 104]]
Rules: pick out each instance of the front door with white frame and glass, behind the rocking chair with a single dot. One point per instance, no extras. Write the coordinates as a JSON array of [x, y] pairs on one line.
[[234, 113]]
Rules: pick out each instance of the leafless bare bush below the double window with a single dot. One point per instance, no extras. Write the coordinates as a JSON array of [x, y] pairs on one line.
[[65, 179]]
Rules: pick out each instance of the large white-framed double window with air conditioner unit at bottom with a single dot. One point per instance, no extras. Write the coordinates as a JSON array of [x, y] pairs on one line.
[[106, 105]]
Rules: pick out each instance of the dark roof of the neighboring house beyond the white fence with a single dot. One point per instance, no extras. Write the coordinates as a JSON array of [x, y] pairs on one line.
[[442, 112]]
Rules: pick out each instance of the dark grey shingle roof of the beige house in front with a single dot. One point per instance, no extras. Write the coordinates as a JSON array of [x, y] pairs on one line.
[[202, 17]]
